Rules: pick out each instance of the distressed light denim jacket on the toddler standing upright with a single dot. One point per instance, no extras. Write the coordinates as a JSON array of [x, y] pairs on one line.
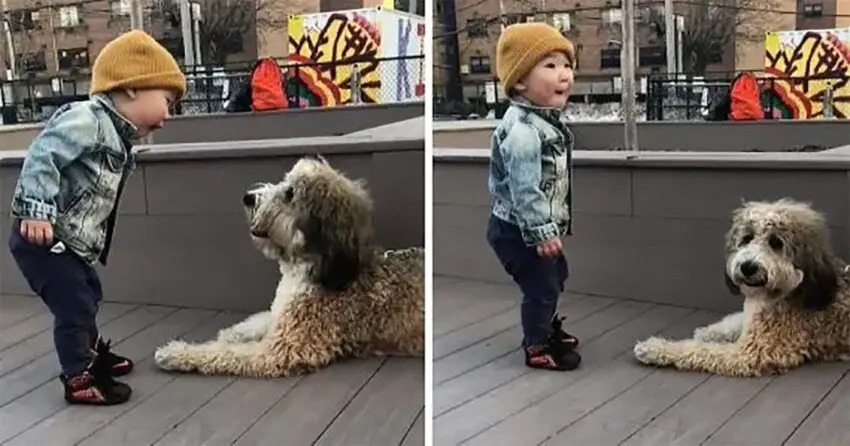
[[531, 171]]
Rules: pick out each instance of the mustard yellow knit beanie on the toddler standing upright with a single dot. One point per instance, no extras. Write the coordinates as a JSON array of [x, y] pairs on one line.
[[522, 45]]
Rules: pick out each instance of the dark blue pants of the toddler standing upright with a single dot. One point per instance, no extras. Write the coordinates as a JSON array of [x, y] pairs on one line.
[[541, 279]]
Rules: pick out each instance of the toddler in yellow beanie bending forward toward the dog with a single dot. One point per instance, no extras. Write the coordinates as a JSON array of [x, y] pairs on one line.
[[65, 203]]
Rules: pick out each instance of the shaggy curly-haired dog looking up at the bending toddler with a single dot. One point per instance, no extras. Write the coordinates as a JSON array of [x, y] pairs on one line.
[[339, 296]]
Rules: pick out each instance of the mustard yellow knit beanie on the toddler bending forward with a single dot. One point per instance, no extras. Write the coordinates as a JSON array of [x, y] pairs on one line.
[[135, 60]]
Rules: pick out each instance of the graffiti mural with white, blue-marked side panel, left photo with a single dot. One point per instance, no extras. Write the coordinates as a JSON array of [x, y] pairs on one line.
[[331, 47]]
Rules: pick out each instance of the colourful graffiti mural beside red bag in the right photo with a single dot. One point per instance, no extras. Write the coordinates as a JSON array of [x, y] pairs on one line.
[[816, 59]]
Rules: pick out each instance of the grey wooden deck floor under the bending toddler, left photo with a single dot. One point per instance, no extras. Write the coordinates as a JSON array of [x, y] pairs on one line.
[[368, 402]]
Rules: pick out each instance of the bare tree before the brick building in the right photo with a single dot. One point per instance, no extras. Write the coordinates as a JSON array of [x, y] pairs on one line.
[[712, 25]]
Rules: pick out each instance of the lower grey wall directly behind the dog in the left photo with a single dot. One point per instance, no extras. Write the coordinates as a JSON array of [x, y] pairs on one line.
[[181, 238]]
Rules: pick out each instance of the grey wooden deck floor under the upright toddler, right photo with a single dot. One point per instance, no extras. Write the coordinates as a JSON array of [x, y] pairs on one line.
[[484, 395]]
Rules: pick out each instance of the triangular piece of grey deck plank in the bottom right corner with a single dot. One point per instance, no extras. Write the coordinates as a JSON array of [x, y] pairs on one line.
[[827, 424]]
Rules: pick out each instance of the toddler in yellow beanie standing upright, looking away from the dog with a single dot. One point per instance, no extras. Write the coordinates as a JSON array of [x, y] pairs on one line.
[[530, 180]]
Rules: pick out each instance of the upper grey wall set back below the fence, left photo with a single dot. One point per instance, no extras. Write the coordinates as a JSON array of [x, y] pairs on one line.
[[248, 126]]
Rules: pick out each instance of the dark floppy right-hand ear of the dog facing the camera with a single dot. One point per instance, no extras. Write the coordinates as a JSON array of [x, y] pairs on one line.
[[819, 284]]
